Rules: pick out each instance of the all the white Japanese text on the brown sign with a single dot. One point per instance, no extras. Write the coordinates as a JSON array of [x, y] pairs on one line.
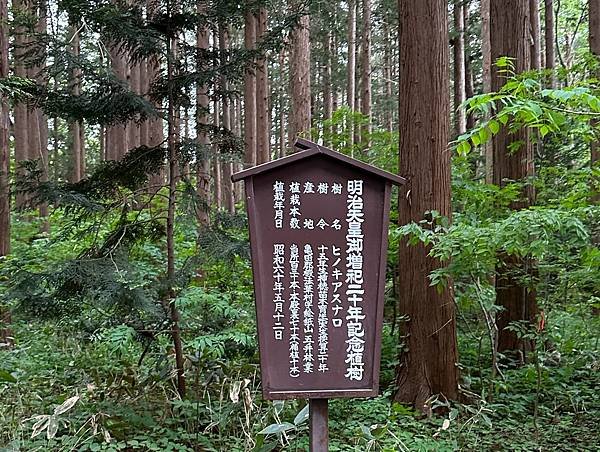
[[315, 298]]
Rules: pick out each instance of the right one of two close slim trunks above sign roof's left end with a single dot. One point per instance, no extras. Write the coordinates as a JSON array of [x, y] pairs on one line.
[[263, 117]]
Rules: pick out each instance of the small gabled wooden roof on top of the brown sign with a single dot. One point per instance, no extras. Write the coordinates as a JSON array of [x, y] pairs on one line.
[[309, 149]]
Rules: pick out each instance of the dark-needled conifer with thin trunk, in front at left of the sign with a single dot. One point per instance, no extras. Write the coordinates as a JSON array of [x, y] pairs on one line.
[[105, 199]]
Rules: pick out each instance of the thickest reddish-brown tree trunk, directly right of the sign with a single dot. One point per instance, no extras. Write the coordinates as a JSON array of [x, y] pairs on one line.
[[429, 366]]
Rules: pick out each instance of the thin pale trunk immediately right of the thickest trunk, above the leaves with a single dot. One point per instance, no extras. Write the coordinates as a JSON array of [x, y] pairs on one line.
[[459, 67]]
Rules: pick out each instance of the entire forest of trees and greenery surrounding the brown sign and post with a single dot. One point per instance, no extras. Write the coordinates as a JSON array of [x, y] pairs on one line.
[[127, 315]]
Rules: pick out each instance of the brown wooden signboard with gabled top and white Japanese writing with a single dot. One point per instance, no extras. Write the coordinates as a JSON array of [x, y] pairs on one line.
[[318, 233]]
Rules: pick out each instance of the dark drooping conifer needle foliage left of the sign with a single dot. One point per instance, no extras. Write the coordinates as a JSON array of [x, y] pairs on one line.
[[116, 273]]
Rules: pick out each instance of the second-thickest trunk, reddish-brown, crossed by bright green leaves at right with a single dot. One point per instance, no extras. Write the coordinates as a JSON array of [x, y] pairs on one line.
[[510, 36]]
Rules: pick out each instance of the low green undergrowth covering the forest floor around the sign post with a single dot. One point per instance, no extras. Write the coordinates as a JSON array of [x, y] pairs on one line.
[[124, 405]]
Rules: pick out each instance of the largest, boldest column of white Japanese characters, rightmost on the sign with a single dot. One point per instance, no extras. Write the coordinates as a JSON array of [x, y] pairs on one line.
[[354, 279]]
